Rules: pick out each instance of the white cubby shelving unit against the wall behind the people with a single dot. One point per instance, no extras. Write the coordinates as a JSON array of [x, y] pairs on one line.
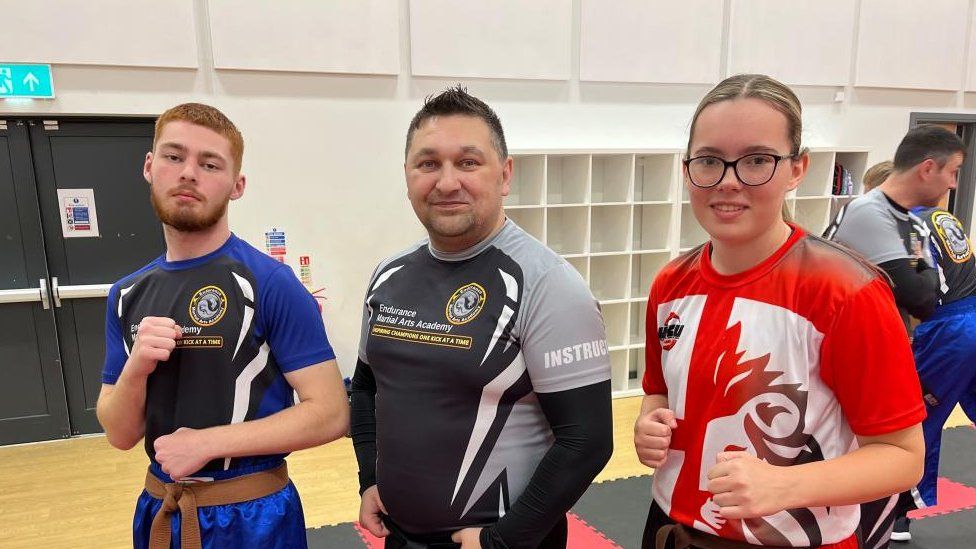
[[618, 216]]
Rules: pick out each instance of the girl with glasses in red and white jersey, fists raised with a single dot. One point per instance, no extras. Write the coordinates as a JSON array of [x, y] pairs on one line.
[[780, 385]]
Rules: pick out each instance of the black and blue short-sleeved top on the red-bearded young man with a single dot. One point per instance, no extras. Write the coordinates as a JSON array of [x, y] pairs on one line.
[[246, 321]]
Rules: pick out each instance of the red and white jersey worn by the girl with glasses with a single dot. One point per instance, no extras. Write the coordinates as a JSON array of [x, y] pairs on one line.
[[787, 361]]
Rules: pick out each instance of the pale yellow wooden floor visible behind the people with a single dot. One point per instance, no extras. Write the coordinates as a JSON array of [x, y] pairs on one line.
[[81, 492]]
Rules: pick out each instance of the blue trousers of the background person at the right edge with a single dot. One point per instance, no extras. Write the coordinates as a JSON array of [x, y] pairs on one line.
[[945, 356]]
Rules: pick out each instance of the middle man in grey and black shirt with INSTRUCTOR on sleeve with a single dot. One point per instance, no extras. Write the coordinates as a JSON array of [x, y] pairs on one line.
[[481, 398]]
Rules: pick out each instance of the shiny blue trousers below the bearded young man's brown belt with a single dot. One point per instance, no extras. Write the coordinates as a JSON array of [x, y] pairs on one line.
[[274, 521]]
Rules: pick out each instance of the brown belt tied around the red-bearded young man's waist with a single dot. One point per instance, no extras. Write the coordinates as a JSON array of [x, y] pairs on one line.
[[187, 496]]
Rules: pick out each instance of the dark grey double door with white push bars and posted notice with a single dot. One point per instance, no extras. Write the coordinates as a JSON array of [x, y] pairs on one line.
[[52, 288]]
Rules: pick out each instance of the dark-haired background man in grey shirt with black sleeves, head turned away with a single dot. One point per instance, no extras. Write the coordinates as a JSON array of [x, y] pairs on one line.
[[881, 226]]
